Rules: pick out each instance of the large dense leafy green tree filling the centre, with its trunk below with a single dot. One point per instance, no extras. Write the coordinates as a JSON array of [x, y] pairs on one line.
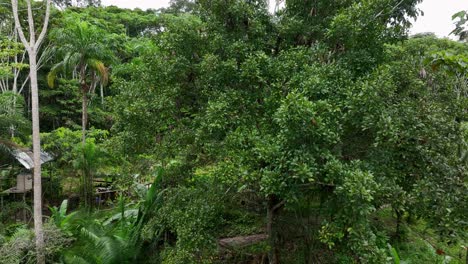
[[270, 105]]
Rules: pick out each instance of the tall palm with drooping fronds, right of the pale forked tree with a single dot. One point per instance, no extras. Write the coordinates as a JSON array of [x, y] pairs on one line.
[[84, 54]]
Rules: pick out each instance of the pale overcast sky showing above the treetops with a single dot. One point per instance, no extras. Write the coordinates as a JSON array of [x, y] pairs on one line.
[[437, 13]]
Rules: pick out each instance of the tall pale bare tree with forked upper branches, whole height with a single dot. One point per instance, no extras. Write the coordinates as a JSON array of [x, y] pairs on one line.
[[32, 46]]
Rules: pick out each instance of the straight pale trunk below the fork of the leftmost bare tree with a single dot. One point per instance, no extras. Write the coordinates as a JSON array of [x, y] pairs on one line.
[[38, 230]]
